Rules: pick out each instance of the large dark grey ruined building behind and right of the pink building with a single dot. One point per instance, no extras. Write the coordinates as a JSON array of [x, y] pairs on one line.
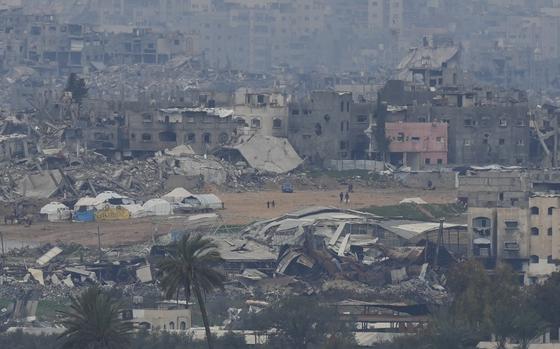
[[484, 125]]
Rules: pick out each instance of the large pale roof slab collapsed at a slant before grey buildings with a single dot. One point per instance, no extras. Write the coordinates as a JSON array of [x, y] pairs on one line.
[[270, 154]]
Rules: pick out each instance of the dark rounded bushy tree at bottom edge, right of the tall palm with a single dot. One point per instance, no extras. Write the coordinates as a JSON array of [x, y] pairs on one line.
[[302, 322]]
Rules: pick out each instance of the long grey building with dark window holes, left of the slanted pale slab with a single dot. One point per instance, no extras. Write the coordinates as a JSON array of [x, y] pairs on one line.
[[203, 129]]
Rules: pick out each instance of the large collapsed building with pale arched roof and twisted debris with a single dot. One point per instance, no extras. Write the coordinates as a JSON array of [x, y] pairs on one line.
[[352, 244]]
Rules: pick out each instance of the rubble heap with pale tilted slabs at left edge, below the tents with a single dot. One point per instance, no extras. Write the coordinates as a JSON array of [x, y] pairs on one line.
[[65, 270]]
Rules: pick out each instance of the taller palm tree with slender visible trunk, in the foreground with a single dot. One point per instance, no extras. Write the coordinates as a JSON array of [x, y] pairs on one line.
[[190, 267]]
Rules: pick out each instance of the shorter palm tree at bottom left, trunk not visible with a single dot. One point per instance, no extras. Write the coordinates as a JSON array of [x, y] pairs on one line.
[[94, 322]]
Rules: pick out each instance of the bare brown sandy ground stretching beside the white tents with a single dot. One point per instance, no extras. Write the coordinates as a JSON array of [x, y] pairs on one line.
[[241, 208]]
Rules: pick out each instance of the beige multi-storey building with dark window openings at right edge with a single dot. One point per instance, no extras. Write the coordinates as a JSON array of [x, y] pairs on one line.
[[526, 236]]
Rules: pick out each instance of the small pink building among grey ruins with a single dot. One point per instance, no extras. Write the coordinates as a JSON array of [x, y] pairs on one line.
[[417, 144]]
